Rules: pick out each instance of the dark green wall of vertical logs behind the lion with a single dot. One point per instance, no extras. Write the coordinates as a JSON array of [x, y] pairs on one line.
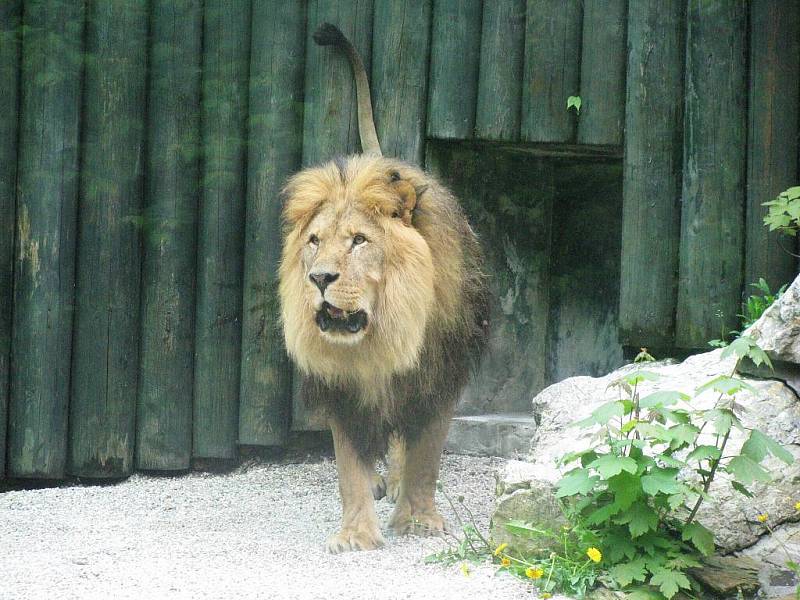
[[146, 142]]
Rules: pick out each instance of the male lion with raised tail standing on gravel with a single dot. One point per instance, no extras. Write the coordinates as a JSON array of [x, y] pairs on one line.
[[384, 307]]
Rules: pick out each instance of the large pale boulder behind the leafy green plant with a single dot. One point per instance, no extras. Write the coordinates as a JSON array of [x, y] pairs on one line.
[[772, 407]]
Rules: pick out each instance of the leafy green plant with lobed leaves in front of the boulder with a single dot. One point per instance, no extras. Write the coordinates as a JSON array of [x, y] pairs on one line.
[[641, 492]]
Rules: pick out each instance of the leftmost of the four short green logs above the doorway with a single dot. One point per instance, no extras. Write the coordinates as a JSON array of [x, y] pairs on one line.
[[455, 58]]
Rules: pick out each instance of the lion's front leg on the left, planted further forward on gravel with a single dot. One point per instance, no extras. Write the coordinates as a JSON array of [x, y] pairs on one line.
[[359, 522]]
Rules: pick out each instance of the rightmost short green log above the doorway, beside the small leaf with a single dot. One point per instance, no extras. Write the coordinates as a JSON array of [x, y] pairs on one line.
[[603, 60]]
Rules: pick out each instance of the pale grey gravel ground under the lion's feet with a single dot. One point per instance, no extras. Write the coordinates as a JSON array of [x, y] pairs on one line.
[[257, 532]]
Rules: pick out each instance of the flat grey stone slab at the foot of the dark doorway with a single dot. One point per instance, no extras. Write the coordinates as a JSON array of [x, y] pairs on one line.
[[507, 435]]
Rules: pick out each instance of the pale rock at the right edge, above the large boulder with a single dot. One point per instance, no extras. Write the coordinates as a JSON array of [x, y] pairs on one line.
[[778, 330]]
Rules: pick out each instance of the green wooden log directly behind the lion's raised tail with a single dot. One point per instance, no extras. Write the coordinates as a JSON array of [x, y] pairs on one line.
[[330, 119]]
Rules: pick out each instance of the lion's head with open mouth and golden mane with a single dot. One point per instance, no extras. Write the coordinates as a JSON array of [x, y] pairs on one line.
[[356, 278]]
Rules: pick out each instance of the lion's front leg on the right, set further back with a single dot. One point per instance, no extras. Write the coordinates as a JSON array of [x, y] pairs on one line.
[[416, 511]]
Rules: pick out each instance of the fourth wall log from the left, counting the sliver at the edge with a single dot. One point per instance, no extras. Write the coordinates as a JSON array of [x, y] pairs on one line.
[[164, 409]]
